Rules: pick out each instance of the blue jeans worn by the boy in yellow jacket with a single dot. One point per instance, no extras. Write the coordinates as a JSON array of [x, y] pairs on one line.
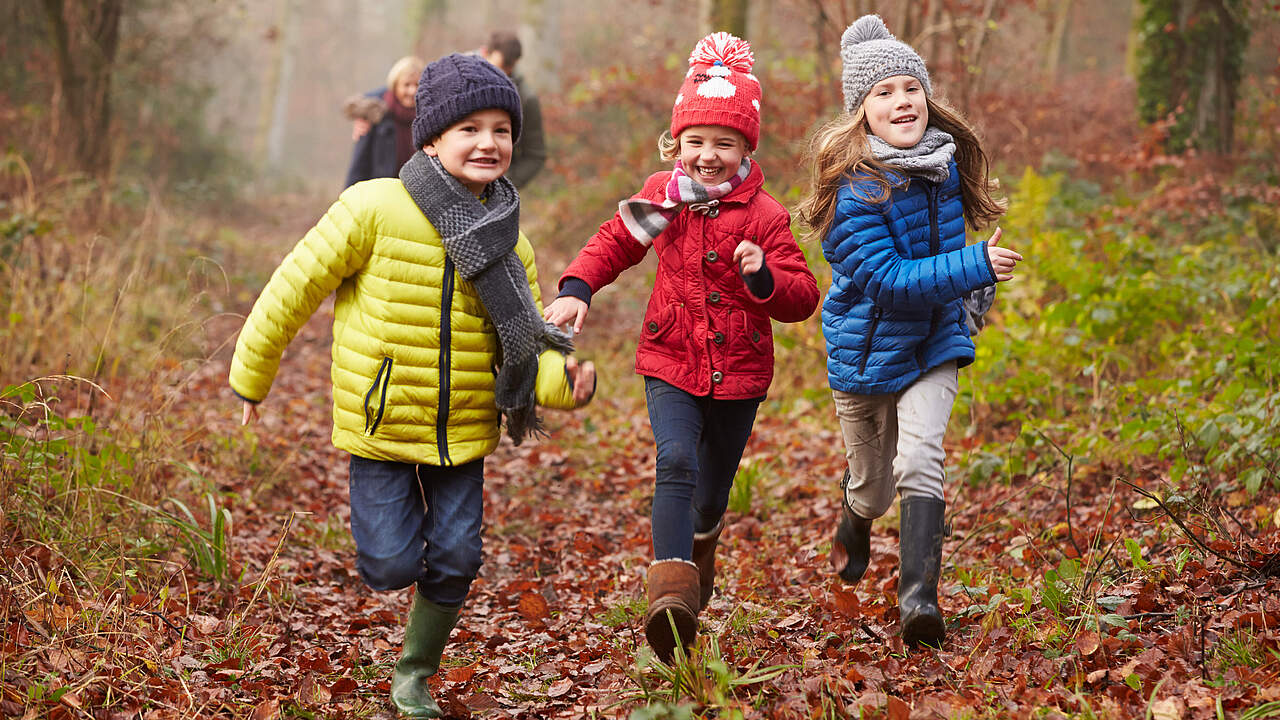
[[418, 525]]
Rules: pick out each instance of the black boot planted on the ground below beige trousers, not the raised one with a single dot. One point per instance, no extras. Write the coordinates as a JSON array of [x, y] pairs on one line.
[[921, 552]]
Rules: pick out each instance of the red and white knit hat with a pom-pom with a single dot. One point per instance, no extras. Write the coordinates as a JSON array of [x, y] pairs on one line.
[[720, 89]]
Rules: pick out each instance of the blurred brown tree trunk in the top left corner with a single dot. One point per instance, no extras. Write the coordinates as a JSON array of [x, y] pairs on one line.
[[86, 38]]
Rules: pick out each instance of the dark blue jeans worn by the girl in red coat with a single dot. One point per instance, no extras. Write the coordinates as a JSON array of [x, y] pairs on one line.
[[701, 443]]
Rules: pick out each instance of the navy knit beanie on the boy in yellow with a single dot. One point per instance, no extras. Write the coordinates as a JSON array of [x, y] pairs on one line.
[[454, 88]]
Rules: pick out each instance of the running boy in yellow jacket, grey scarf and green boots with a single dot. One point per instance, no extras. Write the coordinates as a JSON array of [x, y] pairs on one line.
[[437, 288]]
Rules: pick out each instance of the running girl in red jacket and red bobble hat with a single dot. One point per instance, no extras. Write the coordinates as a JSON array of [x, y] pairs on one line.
[[728, 263]]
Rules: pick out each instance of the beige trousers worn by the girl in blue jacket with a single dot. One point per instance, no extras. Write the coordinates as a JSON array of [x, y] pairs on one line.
[[894, 443]]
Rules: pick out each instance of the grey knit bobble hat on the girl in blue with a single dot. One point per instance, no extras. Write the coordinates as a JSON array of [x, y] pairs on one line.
[[871, 54]]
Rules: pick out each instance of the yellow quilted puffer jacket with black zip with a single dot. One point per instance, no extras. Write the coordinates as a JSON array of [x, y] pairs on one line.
[[414, 350]]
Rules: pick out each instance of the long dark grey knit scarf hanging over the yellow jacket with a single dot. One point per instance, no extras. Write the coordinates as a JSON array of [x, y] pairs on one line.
[[481, 239]]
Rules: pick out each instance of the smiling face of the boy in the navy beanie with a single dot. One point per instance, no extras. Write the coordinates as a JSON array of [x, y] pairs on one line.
[[477, 149]]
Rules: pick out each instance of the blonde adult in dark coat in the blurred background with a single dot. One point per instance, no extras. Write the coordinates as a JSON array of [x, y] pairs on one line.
[[388, 139]]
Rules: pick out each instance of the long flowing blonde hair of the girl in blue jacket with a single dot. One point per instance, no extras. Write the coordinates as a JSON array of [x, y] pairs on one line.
[[840, 152]]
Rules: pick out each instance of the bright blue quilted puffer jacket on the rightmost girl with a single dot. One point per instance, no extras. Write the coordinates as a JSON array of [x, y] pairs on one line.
[[899, 271]]
